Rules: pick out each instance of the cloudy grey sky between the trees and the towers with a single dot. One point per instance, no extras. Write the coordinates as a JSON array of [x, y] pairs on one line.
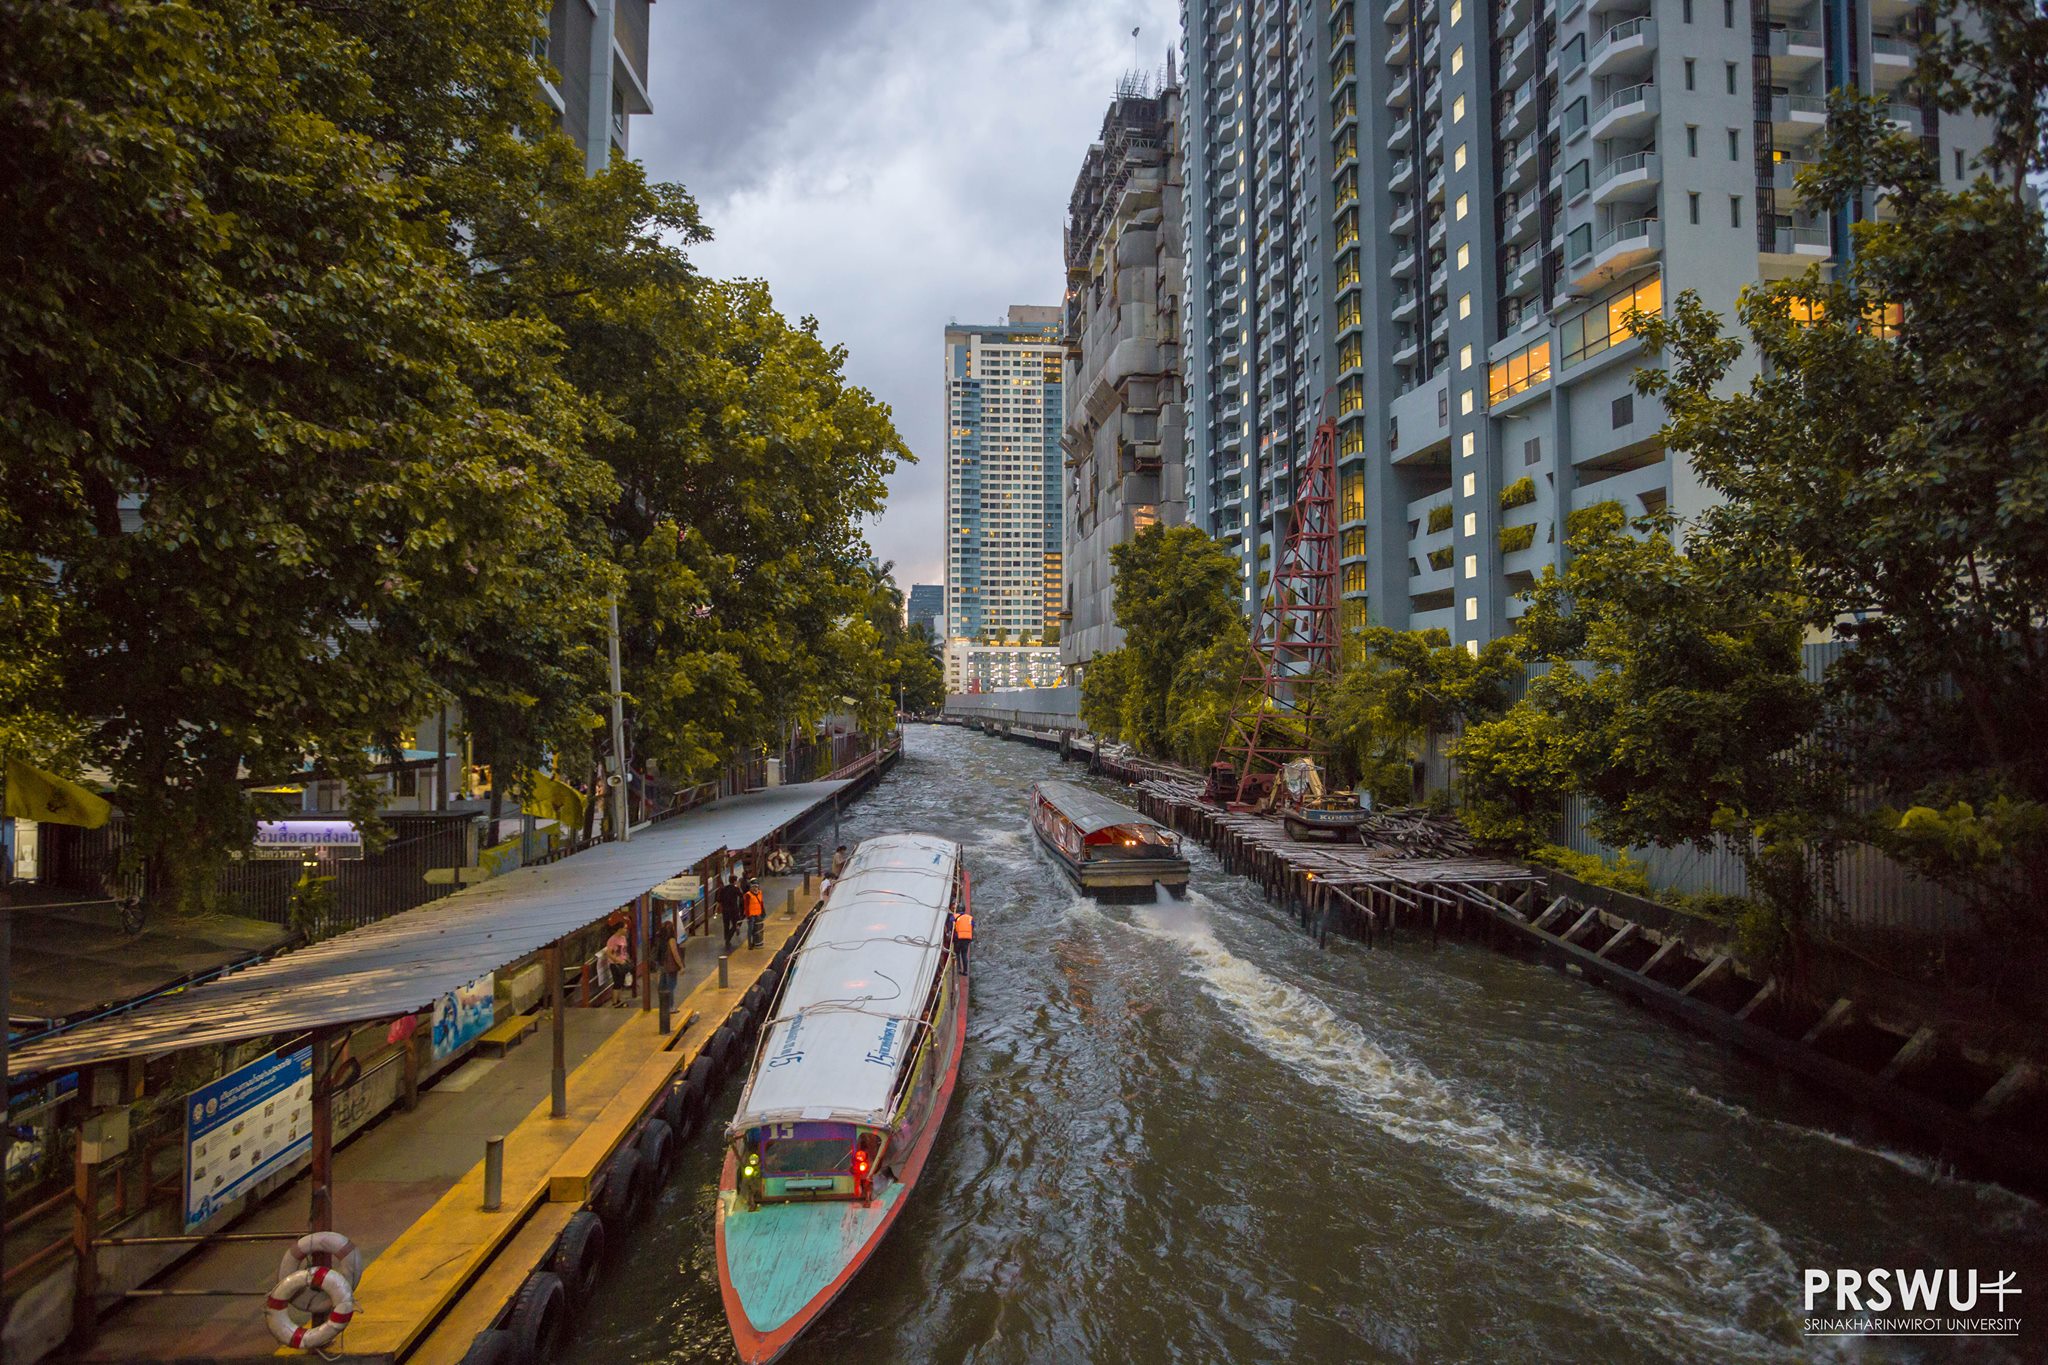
[[892, 167]]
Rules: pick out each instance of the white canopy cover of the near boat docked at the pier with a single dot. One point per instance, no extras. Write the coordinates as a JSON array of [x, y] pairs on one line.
[[845, 1026]]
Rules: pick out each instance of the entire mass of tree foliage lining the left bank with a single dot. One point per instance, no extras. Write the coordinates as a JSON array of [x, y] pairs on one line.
[[337, 392]]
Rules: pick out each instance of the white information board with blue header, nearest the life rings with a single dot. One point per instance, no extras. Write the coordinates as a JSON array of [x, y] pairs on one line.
[[243, 1129]]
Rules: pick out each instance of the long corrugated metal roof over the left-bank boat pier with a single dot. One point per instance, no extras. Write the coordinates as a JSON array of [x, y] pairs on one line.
[[411, 961]]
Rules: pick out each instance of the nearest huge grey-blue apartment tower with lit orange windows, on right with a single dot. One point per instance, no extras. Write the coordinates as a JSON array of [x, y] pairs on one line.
[[1510, 177]]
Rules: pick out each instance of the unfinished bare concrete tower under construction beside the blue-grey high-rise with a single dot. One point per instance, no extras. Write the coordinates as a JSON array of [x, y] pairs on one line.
[[1125, 419]]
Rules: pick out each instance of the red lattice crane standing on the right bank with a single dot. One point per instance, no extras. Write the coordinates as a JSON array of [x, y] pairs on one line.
[[1295, 648]]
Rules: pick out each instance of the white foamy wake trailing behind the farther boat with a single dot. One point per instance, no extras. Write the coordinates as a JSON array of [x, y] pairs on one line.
[[1678, 1272]]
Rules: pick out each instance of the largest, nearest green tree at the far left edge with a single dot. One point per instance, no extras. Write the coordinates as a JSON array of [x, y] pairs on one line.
[[257, 421]]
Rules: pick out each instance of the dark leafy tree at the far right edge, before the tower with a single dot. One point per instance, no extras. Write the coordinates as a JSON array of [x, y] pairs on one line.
[[1895, 449]]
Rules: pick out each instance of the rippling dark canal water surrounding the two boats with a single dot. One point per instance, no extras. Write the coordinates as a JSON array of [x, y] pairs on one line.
[[1187, 1135]]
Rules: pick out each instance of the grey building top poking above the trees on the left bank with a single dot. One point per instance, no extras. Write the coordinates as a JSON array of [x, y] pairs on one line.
[[599, 48]]
